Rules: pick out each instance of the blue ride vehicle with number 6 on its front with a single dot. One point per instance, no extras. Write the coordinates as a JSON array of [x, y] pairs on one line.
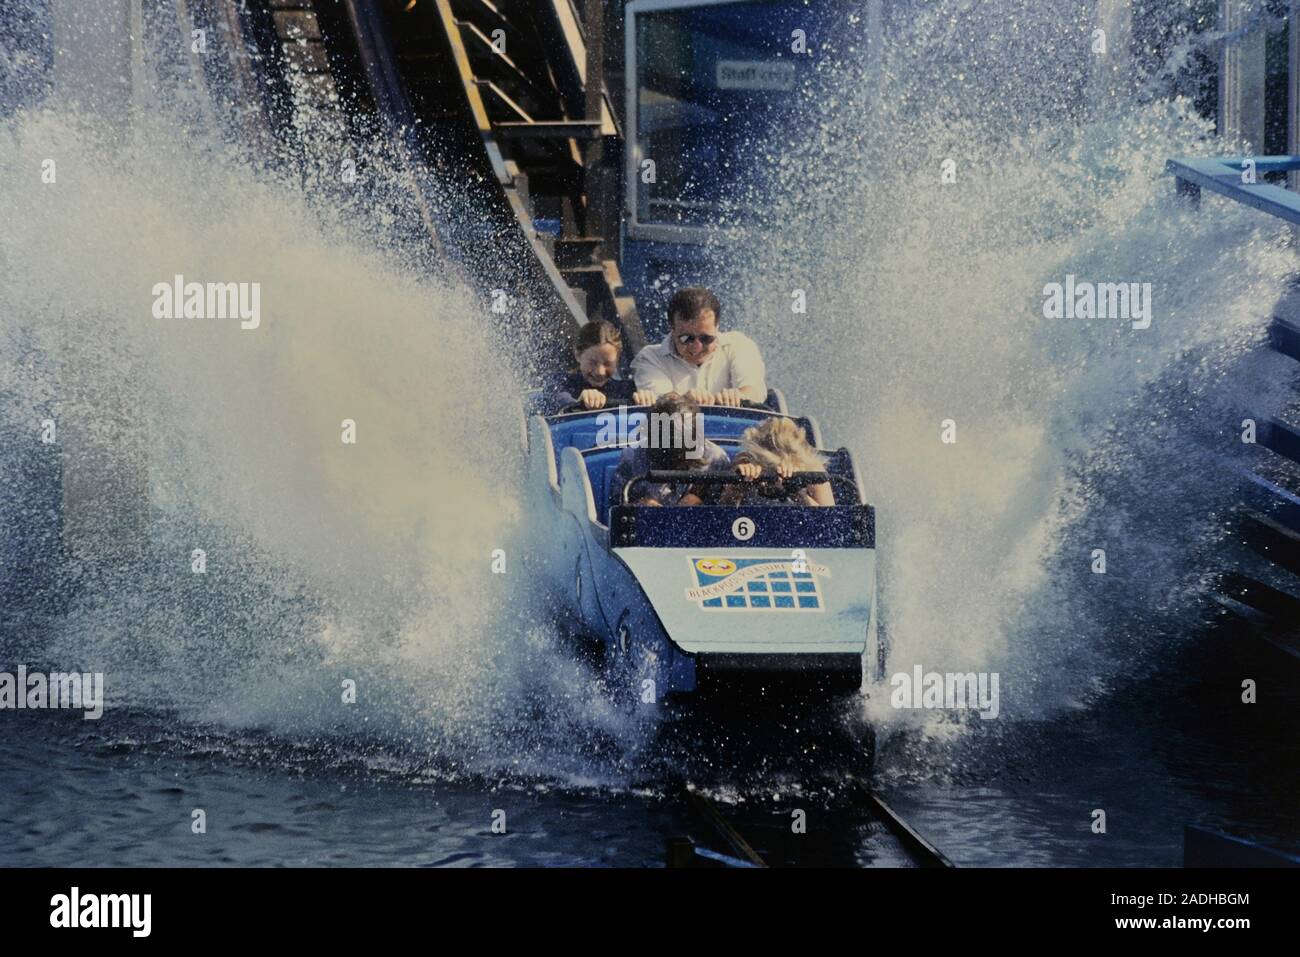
[[687, 596]]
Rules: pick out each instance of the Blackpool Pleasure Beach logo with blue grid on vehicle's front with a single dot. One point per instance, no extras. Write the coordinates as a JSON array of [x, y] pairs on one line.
[[757, 584]]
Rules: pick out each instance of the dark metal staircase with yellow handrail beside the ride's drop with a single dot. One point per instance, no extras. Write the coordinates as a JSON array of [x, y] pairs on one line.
[[518, 72]]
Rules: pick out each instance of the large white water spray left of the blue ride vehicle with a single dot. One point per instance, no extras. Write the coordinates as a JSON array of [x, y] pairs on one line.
[[327, 561]]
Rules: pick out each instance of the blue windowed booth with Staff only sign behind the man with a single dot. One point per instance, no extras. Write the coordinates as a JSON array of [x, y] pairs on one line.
[[717, 93]]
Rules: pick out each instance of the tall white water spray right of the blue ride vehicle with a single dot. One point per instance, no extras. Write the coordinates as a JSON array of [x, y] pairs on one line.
[[926, 305]]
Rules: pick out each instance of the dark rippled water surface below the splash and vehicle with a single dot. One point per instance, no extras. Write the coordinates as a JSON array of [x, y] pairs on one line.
[[1172, 752]]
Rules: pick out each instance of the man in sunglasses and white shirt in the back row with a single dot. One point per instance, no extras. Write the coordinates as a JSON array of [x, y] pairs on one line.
[[697, 361]]
